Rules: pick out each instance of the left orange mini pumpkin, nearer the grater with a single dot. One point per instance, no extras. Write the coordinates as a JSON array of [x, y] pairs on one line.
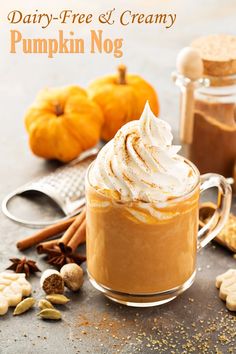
[[62, 123]]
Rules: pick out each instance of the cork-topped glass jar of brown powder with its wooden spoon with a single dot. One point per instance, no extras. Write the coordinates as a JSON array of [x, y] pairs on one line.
[[210, 100]]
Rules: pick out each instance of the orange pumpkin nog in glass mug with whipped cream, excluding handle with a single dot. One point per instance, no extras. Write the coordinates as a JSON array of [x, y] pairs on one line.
[[142, 215]]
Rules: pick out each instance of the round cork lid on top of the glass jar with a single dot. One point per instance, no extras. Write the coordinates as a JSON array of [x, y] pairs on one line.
[[218, 53]]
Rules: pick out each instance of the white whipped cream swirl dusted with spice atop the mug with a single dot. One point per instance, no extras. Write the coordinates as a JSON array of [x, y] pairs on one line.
[[141, 163]]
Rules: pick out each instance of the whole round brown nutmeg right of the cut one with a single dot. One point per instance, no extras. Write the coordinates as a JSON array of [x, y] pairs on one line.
[[72, 274]]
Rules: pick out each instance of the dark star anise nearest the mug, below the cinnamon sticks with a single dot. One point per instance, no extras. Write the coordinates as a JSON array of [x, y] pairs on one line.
[[59, 258]]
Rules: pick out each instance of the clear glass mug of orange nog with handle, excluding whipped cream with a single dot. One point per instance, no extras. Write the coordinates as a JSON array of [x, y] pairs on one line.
[[141, 254]]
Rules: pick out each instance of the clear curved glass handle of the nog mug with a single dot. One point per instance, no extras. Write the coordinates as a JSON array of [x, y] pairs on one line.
[[220, 216]]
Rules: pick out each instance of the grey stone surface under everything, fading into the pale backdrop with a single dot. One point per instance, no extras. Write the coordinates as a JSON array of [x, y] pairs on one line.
[[91, 324]]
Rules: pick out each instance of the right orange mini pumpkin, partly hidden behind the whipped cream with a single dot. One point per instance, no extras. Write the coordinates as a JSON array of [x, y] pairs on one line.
[[122, 98]]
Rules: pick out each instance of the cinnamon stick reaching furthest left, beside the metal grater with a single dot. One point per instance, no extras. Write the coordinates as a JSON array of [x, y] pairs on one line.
[[44, 234]]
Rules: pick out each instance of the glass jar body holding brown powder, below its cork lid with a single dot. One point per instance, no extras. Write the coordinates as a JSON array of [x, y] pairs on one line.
[[213, 148]]
